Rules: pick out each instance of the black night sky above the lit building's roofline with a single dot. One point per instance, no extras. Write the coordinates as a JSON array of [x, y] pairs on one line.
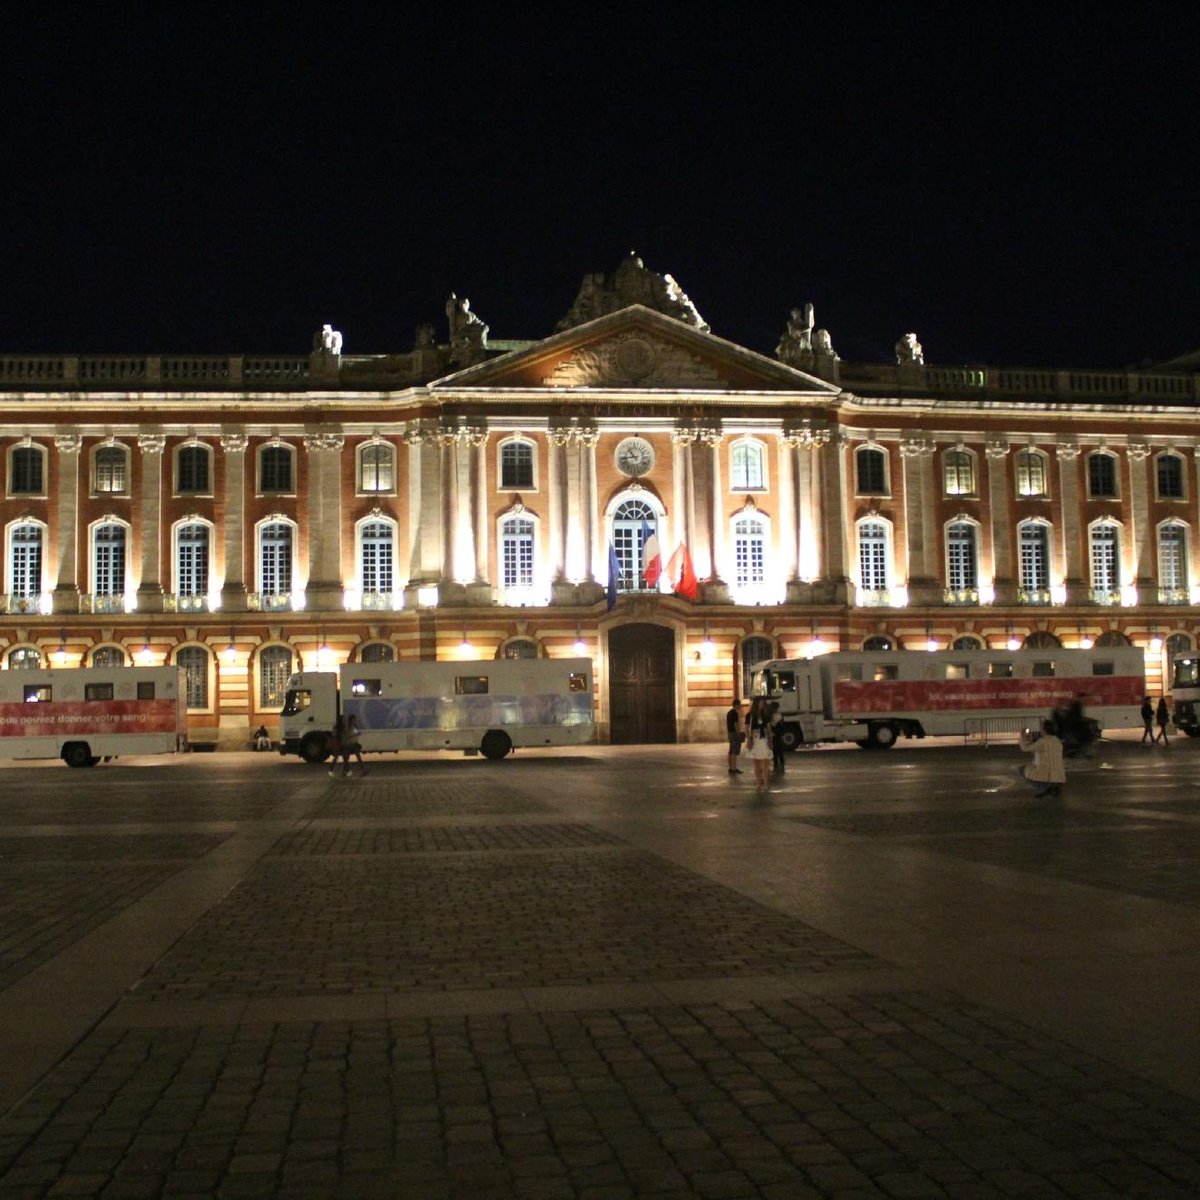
[[1017, 185]]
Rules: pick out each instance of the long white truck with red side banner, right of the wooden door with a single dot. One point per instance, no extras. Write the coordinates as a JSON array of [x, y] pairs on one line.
[[874, 698]]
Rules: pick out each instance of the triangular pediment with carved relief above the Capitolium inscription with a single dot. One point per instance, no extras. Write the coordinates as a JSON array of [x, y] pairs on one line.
[[637, 350]]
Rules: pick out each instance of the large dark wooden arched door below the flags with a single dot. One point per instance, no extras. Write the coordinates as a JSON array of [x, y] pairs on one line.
[[641, 685]]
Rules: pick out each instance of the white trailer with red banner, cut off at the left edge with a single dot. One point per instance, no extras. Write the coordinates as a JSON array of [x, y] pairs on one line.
[[86, 715]]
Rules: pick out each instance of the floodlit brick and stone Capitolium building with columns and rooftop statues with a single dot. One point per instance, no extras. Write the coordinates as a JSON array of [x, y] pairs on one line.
[[247, 517]]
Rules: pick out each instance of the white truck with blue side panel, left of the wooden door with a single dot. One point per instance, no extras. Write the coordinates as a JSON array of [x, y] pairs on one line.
[[489, 707]]
